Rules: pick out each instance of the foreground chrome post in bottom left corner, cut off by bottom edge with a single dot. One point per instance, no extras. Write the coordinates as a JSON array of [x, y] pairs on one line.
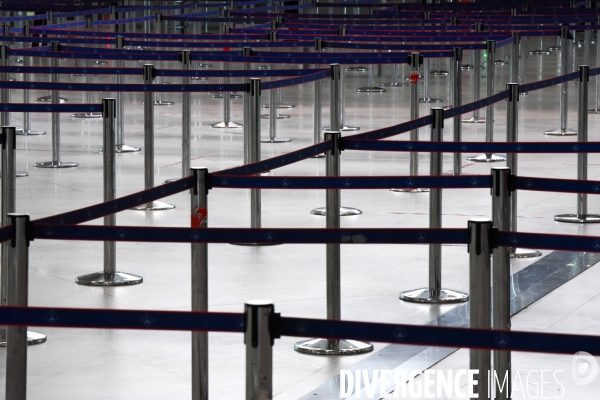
[[17, 285]]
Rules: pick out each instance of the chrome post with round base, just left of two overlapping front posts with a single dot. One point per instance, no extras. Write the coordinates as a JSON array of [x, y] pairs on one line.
[[435, 293]]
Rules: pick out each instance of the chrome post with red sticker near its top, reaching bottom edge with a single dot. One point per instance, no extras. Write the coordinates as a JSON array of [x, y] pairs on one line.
[[199, 220]]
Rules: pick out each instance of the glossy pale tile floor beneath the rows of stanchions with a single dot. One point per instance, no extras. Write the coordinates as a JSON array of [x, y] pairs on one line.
[[107, 364]]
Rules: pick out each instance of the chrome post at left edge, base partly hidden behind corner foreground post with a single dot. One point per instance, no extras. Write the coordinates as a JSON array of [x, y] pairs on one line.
[[9, 206]]
